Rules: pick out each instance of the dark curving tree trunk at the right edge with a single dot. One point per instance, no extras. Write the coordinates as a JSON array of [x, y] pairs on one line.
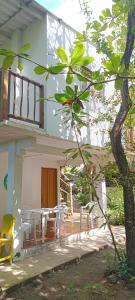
[[118, 150]]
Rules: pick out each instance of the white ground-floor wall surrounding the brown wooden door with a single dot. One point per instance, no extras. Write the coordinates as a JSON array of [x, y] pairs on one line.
[[31, 184]]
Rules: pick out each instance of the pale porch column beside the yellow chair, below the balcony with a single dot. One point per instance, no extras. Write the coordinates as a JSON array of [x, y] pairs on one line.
[[14, 191]]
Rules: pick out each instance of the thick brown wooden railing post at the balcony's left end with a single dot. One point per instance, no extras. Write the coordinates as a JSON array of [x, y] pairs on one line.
[[4, 95]]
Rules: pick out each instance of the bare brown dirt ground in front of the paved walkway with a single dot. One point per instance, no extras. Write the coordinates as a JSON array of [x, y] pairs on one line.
[[83, 280]]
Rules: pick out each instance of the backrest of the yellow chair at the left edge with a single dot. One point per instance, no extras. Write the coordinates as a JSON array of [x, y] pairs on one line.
[[7, 228]]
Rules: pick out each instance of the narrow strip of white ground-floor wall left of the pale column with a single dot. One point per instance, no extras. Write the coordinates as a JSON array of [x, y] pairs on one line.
[[3, 172]]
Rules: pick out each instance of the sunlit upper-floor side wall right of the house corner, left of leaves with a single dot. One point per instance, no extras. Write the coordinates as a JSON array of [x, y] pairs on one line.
[[57, 35]]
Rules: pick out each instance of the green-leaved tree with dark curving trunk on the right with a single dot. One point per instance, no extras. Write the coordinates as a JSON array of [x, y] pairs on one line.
[[113, 36]]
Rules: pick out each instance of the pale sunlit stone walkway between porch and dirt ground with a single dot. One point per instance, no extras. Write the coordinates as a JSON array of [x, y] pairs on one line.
[[55, 255]]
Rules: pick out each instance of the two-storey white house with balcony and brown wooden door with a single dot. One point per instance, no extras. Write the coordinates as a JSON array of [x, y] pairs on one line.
[[32, 138]]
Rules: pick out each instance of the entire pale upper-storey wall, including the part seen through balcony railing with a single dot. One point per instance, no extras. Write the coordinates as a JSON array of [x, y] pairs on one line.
[[45, 35]]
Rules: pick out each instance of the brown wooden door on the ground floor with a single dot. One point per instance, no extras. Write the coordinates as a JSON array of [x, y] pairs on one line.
[[48, 187]]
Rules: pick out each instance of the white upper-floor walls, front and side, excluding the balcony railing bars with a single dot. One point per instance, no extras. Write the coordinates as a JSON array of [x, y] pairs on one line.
[[45, 36]]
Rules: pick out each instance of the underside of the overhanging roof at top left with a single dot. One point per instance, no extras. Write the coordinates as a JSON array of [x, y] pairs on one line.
[[17, 14]]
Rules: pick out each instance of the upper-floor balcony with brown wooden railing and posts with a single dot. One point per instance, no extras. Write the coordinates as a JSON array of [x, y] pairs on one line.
[[20, 99]]
